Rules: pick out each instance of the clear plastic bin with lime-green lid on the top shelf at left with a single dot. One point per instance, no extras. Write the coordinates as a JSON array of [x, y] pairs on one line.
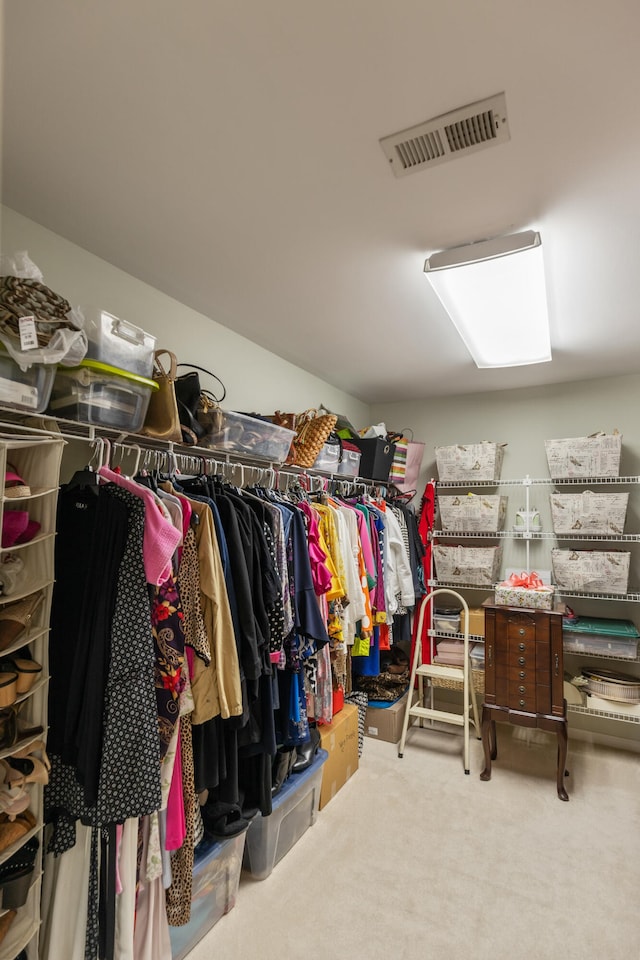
[[96, 393]]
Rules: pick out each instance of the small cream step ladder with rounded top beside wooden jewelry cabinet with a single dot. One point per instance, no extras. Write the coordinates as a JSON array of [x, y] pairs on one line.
[[433, 671]]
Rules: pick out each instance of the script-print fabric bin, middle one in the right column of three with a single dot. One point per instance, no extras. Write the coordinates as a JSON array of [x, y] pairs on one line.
[[588, 512]]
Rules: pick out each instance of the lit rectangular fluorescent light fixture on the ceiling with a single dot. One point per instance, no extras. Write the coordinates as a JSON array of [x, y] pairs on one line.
[[495, 294]]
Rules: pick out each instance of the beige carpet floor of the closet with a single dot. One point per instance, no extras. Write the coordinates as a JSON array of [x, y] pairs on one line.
[[413, 860]]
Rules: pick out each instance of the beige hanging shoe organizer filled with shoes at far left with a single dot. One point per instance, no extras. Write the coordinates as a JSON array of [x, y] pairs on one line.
[[30, 472]]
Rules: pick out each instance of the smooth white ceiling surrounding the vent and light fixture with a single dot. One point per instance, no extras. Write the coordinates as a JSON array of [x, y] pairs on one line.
[[226, 152]]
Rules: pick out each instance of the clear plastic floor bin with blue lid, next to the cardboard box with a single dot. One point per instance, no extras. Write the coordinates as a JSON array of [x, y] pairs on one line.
[[295, 809]]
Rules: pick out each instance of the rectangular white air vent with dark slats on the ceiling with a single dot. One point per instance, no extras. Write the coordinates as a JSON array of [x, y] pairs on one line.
[[474, 127]]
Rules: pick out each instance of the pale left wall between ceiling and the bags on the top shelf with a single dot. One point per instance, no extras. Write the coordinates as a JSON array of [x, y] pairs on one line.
[[256, 380]]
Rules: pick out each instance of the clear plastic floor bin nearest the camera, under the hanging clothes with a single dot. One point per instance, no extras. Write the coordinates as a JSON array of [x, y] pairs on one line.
[[216, 877]]
